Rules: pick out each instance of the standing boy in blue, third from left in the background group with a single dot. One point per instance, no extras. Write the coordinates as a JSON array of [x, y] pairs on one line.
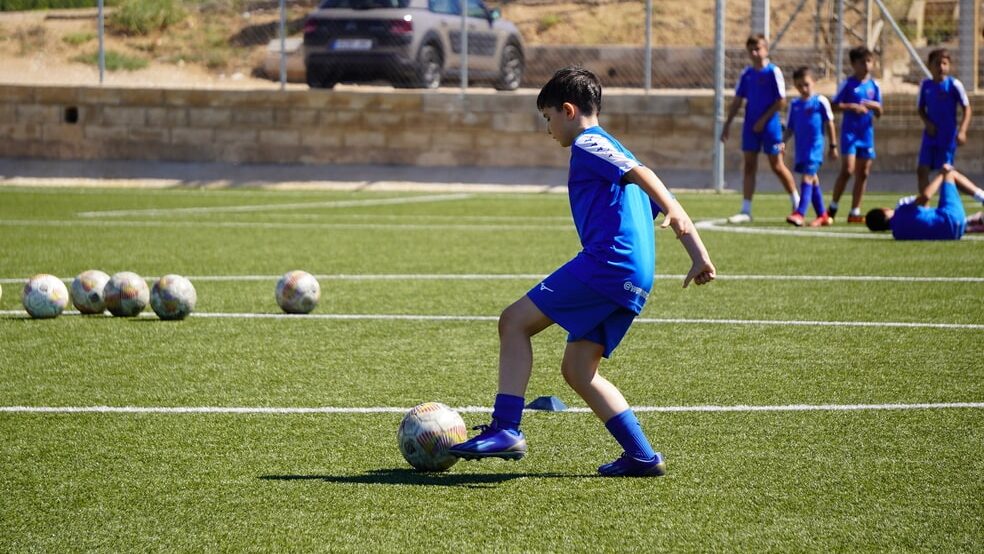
[[860, 100]]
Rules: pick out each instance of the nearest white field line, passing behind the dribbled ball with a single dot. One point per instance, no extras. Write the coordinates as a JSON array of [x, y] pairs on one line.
[[470, 409]]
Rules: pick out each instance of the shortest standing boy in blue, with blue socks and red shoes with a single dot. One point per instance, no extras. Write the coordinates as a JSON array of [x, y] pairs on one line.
[[808, 116]]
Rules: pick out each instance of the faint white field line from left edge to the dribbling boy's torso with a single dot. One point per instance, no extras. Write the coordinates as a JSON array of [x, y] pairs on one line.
[[278, 225]]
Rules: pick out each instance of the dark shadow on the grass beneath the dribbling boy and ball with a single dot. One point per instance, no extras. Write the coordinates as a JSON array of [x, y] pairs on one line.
[[404, 476]]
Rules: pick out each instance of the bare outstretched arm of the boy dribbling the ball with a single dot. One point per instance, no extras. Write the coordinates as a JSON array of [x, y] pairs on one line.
[[701, 269]]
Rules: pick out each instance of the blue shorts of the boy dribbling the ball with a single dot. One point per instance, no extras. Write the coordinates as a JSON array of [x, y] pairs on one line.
[[583, 312]]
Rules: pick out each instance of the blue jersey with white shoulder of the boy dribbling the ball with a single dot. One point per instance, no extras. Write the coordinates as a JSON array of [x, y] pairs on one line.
[[614, 221]]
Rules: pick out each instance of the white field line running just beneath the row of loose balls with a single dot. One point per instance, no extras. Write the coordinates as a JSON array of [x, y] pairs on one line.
[[490, 318]]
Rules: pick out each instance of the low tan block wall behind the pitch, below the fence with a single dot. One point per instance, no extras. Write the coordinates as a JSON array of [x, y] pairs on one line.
[[383, 126]]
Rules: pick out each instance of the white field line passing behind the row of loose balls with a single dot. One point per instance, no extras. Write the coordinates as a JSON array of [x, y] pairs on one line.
[[537, 276]]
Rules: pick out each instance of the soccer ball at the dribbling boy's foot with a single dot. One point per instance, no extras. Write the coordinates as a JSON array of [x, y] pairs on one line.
[[426, 433]]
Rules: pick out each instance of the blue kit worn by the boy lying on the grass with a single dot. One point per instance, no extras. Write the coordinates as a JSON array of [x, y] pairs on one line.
[[947, 221]]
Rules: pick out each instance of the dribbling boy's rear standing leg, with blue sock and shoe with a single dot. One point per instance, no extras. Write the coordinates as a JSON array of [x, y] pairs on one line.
[[580, 370]]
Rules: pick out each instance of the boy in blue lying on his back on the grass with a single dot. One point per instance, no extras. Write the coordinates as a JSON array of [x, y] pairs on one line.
[[913, 219]]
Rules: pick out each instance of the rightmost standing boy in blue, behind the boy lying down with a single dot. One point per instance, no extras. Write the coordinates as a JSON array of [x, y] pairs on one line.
[[938, 101]]
